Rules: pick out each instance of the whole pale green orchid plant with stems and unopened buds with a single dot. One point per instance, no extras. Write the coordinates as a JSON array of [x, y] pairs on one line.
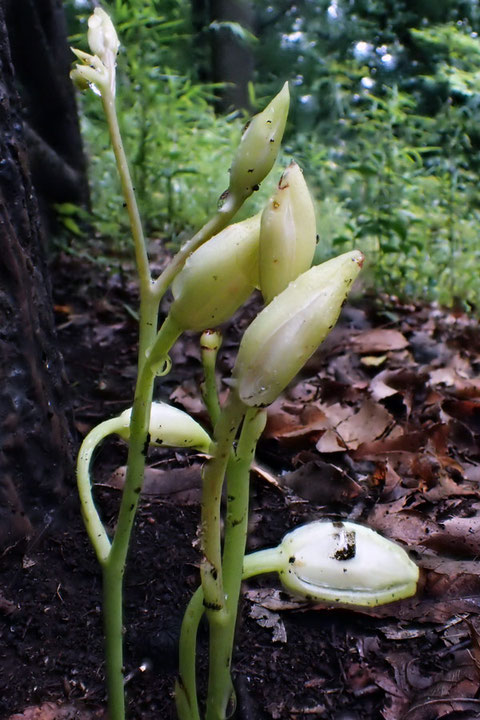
[[211, 276]]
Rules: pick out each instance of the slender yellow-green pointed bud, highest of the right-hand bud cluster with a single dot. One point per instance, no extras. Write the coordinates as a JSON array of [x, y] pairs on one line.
[[259, 146]]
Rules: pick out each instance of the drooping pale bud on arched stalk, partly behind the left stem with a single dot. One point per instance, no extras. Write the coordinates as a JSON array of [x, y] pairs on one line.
[[168, 426]]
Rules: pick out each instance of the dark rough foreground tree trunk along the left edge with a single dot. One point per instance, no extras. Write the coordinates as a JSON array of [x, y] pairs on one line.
[[35, 447]]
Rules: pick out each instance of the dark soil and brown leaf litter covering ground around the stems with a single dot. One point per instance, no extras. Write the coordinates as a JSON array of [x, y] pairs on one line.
[[382, 428]]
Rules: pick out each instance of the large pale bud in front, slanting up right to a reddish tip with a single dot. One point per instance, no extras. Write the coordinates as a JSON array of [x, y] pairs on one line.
[[284, 335]]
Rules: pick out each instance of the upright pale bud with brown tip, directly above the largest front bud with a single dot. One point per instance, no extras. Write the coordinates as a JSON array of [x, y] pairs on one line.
[[287, 234]]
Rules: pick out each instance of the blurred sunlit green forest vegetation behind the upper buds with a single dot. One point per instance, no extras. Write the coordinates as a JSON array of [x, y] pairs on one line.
[[384, 122]]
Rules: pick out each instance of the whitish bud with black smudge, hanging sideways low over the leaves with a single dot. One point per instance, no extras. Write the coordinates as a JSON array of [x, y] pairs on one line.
[[339, 562]]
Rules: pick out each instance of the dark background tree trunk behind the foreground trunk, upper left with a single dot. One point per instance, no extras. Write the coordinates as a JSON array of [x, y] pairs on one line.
[[42, 60]]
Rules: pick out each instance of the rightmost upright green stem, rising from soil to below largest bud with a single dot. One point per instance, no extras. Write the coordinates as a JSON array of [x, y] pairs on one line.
[[222, 634]]
